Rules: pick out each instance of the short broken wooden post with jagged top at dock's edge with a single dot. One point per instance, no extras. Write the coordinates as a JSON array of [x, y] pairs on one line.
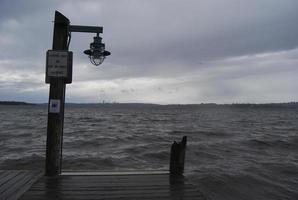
[[178, 157]]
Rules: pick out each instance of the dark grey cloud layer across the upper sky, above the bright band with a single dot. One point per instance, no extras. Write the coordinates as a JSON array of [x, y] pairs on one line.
[[152, 32]]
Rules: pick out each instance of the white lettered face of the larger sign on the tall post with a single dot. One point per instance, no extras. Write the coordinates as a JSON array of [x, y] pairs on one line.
[[57, 63]]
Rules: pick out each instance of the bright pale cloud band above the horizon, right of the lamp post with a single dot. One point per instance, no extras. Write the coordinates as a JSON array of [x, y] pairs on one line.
[[257, 78]]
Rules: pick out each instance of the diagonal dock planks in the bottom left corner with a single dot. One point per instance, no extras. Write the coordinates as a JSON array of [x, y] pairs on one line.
[[13, 183]]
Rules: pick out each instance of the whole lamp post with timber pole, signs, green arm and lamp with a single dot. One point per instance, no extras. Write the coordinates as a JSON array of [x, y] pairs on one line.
[[58, 74]]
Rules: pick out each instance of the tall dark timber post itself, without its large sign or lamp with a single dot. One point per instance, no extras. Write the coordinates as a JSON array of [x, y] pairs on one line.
[[57, 95]]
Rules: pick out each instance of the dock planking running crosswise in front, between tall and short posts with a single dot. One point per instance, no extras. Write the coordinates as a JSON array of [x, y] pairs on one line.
[[132, 186]]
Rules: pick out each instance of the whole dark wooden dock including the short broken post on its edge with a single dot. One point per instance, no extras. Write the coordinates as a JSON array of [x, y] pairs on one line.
[[165, 185]]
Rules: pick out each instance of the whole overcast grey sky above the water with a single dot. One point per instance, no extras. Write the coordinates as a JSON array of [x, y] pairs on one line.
[[163, 51]]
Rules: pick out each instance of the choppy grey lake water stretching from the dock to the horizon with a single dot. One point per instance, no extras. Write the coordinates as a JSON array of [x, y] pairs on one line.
[[232, 152]]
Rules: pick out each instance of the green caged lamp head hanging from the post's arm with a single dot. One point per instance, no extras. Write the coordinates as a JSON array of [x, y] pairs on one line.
[[97, 52]]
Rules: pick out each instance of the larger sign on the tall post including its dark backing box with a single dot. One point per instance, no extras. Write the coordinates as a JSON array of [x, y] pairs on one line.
[[59, 65]]
